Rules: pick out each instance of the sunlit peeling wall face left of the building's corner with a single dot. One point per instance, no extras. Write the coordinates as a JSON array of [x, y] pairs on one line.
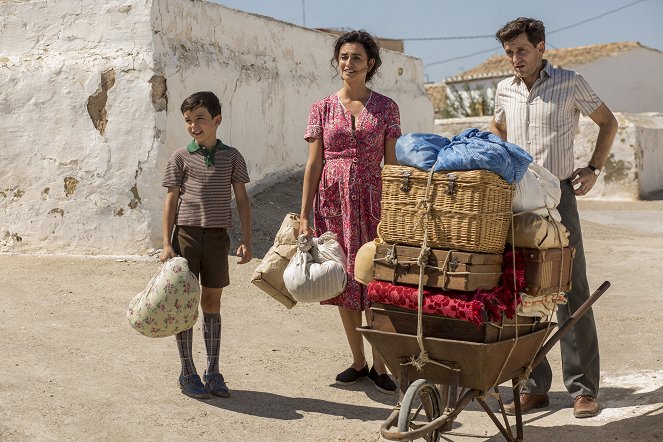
[[52, 55]]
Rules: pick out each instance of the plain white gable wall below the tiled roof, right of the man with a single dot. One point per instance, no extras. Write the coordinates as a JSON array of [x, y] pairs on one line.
[[628, 82]]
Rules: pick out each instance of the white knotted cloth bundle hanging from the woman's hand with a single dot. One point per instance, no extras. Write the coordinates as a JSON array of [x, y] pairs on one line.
[[317, 272]]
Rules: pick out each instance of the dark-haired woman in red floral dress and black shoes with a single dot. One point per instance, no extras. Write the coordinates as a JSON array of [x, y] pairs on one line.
[[349, 133]]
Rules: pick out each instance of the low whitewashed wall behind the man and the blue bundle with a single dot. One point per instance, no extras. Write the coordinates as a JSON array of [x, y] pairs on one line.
[[636, 158]]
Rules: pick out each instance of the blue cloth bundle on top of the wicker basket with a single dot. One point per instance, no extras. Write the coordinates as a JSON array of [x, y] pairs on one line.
[[471, 149]]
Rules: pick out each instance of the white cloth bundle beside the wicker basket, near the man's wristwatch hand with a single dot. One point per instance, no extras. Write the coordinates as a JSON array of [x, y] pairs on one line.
[[537, 192]]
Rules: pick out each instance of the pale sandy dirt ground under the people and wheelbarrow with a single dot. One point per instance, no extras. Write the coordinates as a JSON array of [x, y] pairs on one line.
[[73, 369]]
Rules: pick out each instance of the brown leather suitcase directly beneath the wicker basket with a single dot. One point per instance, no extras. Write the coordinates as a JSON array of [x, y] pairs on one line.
[[449, 270]]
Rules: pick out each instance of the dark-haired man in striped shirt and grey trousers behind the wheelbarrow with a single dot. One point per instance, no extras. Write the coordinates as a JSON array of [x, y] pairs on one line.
[[538, 109]]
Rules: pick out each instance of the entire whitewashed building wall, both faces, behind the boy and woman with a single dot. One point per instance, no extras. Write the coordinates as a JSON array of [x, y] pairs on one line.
[[89, 109]]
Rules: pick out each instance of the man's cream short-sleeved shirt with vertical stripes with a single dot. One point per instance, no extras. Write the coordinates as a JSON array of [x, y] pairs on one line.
[[543, 121]]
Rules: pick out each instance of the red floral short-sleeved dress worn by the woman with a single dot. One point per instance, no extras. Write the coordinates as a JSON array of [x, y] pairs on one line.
[[347, 202]]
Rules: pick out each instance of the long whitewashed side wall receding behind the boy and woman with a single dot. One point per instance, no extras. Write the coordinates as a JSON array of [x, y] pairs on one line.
[[267, 74]]
